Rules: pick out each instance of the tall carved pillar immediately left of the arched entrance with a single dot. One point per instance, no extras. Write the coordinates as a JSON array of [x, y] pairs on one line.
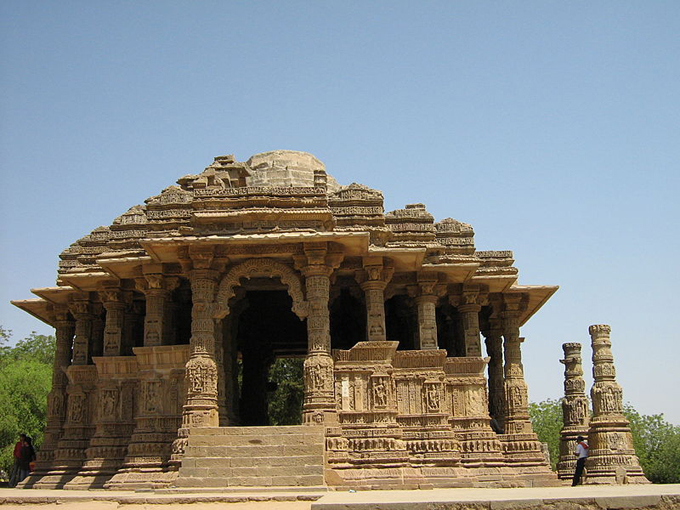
[[201, 409]]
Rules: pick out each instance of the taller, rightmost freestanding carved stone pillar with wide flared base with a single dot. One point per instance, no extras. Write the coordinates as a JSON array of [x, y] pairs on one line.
[[612, 457]]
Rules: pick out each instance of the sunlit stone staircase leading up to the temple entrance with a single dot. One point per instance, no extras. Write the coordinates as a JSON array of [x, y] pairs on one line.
[[290, 456]]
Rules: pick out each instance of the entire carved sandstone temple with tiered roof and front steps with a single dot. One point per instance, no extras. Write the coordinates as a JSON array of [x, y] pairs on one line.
[[168, 320]]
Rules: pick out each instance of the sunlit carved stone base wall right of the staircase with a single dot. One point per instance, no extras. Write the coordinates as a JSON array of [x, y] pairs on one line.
[[419, 419]]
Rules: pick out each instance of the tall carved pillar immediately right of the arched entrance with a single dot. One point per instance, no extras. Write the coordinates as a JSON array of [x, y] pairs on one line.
[[319, 403]]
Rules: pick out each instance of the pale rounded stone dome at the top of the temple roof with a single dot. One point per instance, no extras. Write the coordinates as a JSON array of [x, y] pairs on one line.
[[286, 168]]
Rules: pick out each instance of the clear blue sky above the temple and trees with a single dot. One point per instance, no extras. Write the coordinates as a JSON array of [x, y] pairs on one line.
[[552, 127]]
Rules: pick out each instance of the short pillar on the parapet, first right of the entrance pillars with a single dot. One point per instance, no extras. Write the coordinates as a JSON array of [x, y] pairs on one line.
[[373, 279]]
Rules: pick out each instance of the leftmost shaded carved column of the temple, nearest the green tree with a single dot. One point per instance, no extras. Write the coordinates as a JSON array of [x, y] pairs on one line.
[[56, 399]]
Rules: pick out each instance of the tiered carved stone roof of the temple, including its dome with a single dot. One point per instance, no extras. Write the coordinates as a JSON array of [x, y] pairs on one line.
[[276, 193]]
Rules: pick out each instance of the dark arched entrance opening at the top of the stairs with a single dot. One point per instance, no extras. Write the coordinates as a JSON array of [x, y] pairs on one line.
[[271, 343]]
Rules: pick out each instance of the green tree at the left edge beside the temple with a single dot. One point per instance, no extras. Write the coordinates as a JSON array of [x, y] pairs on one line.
[[25, 381]]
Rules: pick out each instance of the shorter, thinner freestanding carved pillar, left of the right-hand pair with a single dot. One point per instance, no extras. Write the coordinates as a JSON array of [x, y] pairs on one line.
[[575, 415]]
